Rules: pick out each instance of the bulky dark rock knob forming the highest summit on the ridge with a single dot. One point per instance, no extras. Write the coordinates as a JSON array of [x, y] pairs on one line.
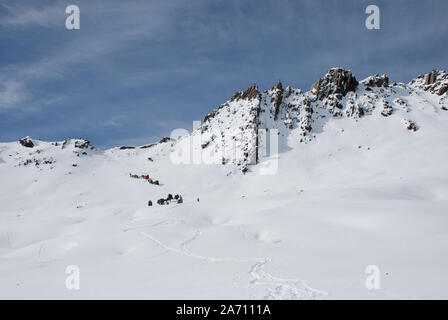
[[336, 81]]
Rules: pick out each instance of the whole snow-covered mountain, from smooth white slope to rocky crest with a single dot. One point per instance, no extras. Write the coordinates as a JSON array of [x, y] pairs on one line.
[[356, 185]]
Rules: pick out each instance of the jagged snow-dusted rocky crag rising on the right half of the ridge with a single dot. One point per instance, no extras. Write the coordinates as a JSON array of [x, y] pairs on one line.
[[232, 130]]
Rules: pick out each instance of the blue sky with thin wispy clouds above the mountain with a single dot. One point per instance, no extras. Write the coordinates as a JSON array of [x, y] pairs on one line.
[[138, 69]]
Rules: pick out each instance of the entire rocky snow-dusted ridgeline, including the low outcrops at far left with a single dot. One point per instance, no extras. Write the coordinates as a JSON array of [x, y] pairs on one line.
[[235, 133]]
